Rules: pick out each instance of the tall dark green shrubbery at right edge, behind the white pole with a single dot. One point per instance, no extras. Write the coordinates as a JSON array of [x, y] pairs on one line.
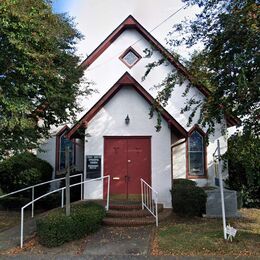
[[244, 168]]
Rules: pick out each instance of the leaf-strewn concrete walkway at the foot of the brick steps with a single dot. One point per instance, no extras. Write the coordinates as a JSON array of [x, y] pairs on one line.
[[116, 242]]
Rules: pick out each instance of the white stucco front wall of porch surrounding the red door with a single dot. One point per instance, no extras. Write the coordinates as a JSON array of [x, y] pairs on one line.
[[110, 121]]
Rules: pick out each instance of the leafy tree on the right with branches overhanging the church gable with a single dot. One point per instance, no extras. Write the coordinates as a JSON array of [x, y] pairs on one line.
[[228, 64]]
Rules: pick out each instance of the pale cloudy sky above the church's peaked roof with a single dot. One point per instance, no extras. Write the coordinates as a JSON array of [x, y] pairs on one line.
[[96, 19]]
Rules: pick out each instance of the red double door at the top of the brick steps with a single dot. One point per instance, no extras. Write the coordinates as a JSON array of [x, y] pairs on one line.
[[126, 160]]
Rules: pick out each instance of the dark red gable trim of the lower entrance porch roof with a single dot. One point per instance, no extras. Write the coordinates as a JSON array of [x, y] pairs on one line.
[[125, 80]]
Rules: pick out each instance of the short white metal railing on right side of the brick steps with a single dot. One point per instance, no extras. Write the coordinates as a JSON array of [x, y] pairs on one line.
[[149, 199]]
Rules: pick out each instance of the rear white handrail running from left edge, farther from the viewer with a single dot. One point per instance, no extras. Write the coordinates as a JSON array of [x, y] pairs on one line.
[[43, 183]]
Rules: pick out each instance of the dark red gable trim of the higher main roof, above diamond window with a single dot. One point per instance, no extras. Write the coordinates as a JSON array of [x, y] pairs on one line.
[[131, 23]]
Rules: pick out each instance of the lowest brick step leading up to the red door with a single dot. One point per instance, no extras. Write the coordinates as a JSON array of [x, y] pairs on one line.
[[136, 221]]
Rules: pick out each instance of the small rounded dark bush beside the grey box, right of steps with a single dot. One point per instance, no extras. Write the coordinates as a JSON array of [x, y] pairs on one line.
[[188, 199]]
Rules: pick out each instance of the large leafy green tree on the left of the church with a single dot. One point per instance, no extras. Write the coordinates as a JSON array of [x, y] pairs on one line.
[[39, 72]]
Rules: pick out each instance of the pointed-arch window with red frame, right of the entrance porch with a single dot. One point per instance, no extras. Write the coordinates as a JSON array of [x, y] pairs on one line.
[[196, 154]]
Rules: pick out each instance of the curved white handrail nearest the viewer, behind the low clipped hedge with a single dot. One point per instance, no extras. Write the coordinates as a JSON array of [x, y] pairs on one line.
[[57, 190]]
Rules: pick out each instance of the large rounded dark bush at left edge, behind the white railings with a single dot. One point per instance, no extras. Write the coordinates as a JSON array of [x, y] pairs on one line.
[[22, 170]]
